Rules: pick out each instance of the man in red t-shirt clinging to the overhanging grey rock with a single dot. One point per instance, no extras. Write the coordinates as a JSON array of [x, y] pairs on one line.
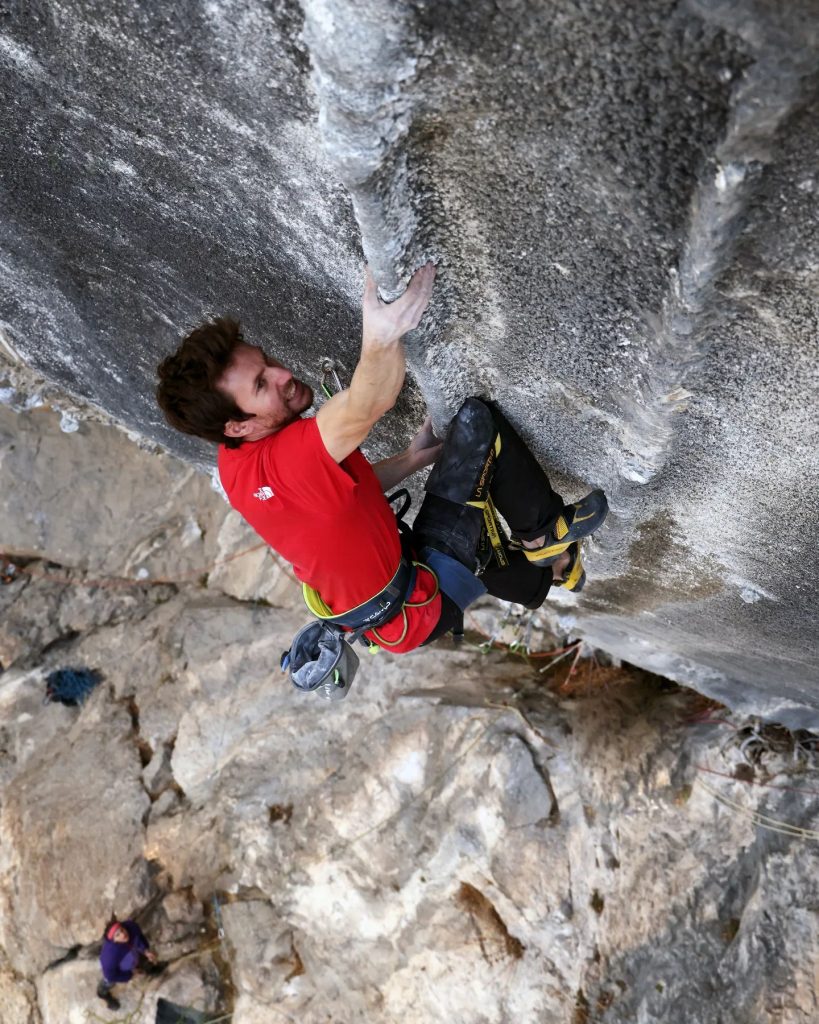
[[307, 489]]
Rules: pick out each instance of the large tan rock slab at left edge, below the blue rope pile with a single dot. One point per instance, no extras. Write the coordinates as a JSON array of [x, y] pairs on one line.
[[70, 824]]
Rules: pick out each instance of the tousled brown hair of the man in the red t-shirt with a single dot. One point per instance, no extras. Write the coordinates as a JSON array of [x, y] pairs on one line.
[[188, 392]]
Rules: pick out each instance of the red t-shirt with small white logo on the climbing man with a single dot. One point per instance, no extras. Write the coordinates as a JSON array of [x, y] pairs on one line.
[[330, 521]]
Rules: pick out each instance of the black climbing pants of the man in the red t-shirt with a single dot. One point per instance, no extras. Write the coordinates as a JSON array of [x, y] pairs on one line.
[[524, 496]]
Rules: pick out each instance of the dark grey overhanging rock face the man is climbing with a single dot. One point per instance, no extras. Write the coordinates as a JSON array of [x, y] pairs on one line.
[[623, 202]]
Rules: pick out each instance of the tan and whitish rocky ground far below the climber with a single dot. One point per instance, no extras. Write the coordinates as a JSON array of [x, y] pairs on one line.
[[509, 831]]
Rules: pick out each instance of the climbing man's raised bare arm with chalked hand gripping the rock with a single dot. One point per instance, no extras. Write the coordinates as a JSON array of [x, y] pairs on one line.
[[346, 421]]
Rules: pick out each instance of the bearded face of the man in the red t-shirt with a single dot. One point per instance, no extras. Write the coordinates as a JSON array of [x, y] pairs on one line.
[[267, 390]]
